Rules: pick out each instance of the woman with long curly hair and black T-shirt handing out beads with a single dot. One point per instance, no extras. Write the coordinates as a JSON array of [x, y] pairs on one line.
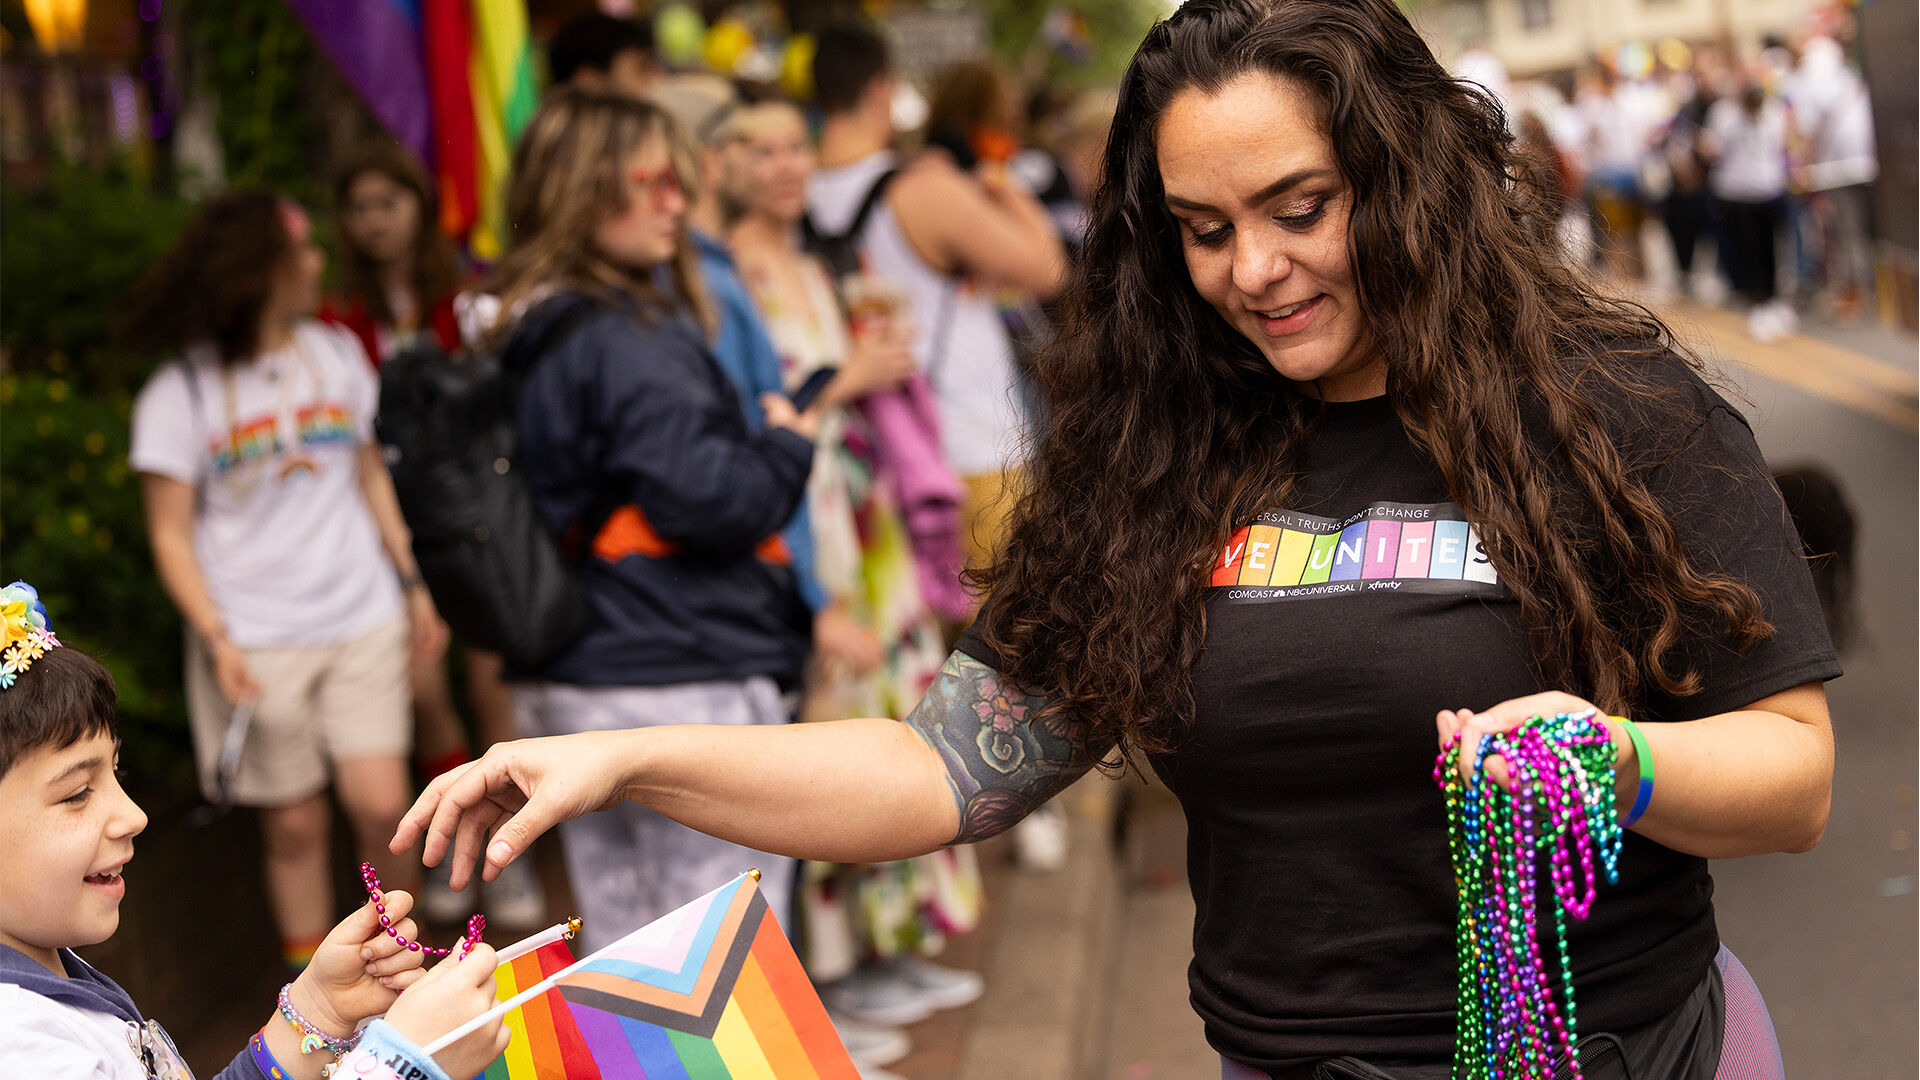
[[1339, 462]]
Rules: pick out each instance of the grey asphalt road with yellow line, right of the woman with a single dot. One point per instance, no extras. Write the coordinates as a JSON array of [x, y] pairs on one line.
[[1831, 935]]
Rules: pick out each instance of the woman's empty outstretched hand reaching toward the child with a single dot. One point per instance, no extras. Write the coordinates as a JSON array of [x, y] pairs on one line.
[[514, 795]]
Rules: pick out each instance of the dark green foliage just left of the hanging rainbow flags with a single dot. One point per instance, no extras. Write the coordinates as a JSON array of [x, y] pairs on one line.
[[256, 62]]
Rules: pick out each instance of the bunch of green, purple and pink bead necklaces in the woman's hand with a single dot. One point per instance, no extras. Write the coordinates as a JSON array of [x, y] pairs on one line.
[[1558, 812]]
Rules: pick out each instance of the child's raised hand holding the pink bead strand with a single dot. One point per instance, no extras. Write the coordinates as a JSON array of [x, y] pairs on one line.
[[360, 968]]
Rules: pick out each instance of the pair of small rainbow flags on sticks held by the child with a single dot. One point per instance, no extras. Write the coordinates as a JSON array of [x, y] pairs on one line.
[[709, 993]]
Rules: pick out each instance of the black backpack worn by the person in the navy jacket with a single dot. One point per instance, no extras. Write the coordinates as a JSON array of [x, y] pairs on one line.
[[448, 430]]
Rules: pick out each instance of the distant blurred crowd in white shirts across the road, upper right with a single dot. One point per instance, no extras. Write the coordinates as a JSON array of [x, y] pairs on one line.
[[1739, 159]]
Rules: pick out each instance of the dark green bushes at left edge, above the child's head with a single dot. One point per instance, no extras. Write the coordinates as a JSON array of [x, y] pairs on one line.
[[70, 508]]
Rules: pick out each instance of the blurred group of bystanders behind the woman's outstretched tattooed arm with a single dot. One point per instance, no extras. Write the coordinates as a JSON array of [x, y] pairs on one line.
[[746, 564]]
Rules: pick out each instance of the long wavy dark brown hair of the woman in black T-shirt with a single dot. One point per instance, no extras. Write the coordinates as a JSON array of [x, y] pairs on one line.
[[1164, 430]]
